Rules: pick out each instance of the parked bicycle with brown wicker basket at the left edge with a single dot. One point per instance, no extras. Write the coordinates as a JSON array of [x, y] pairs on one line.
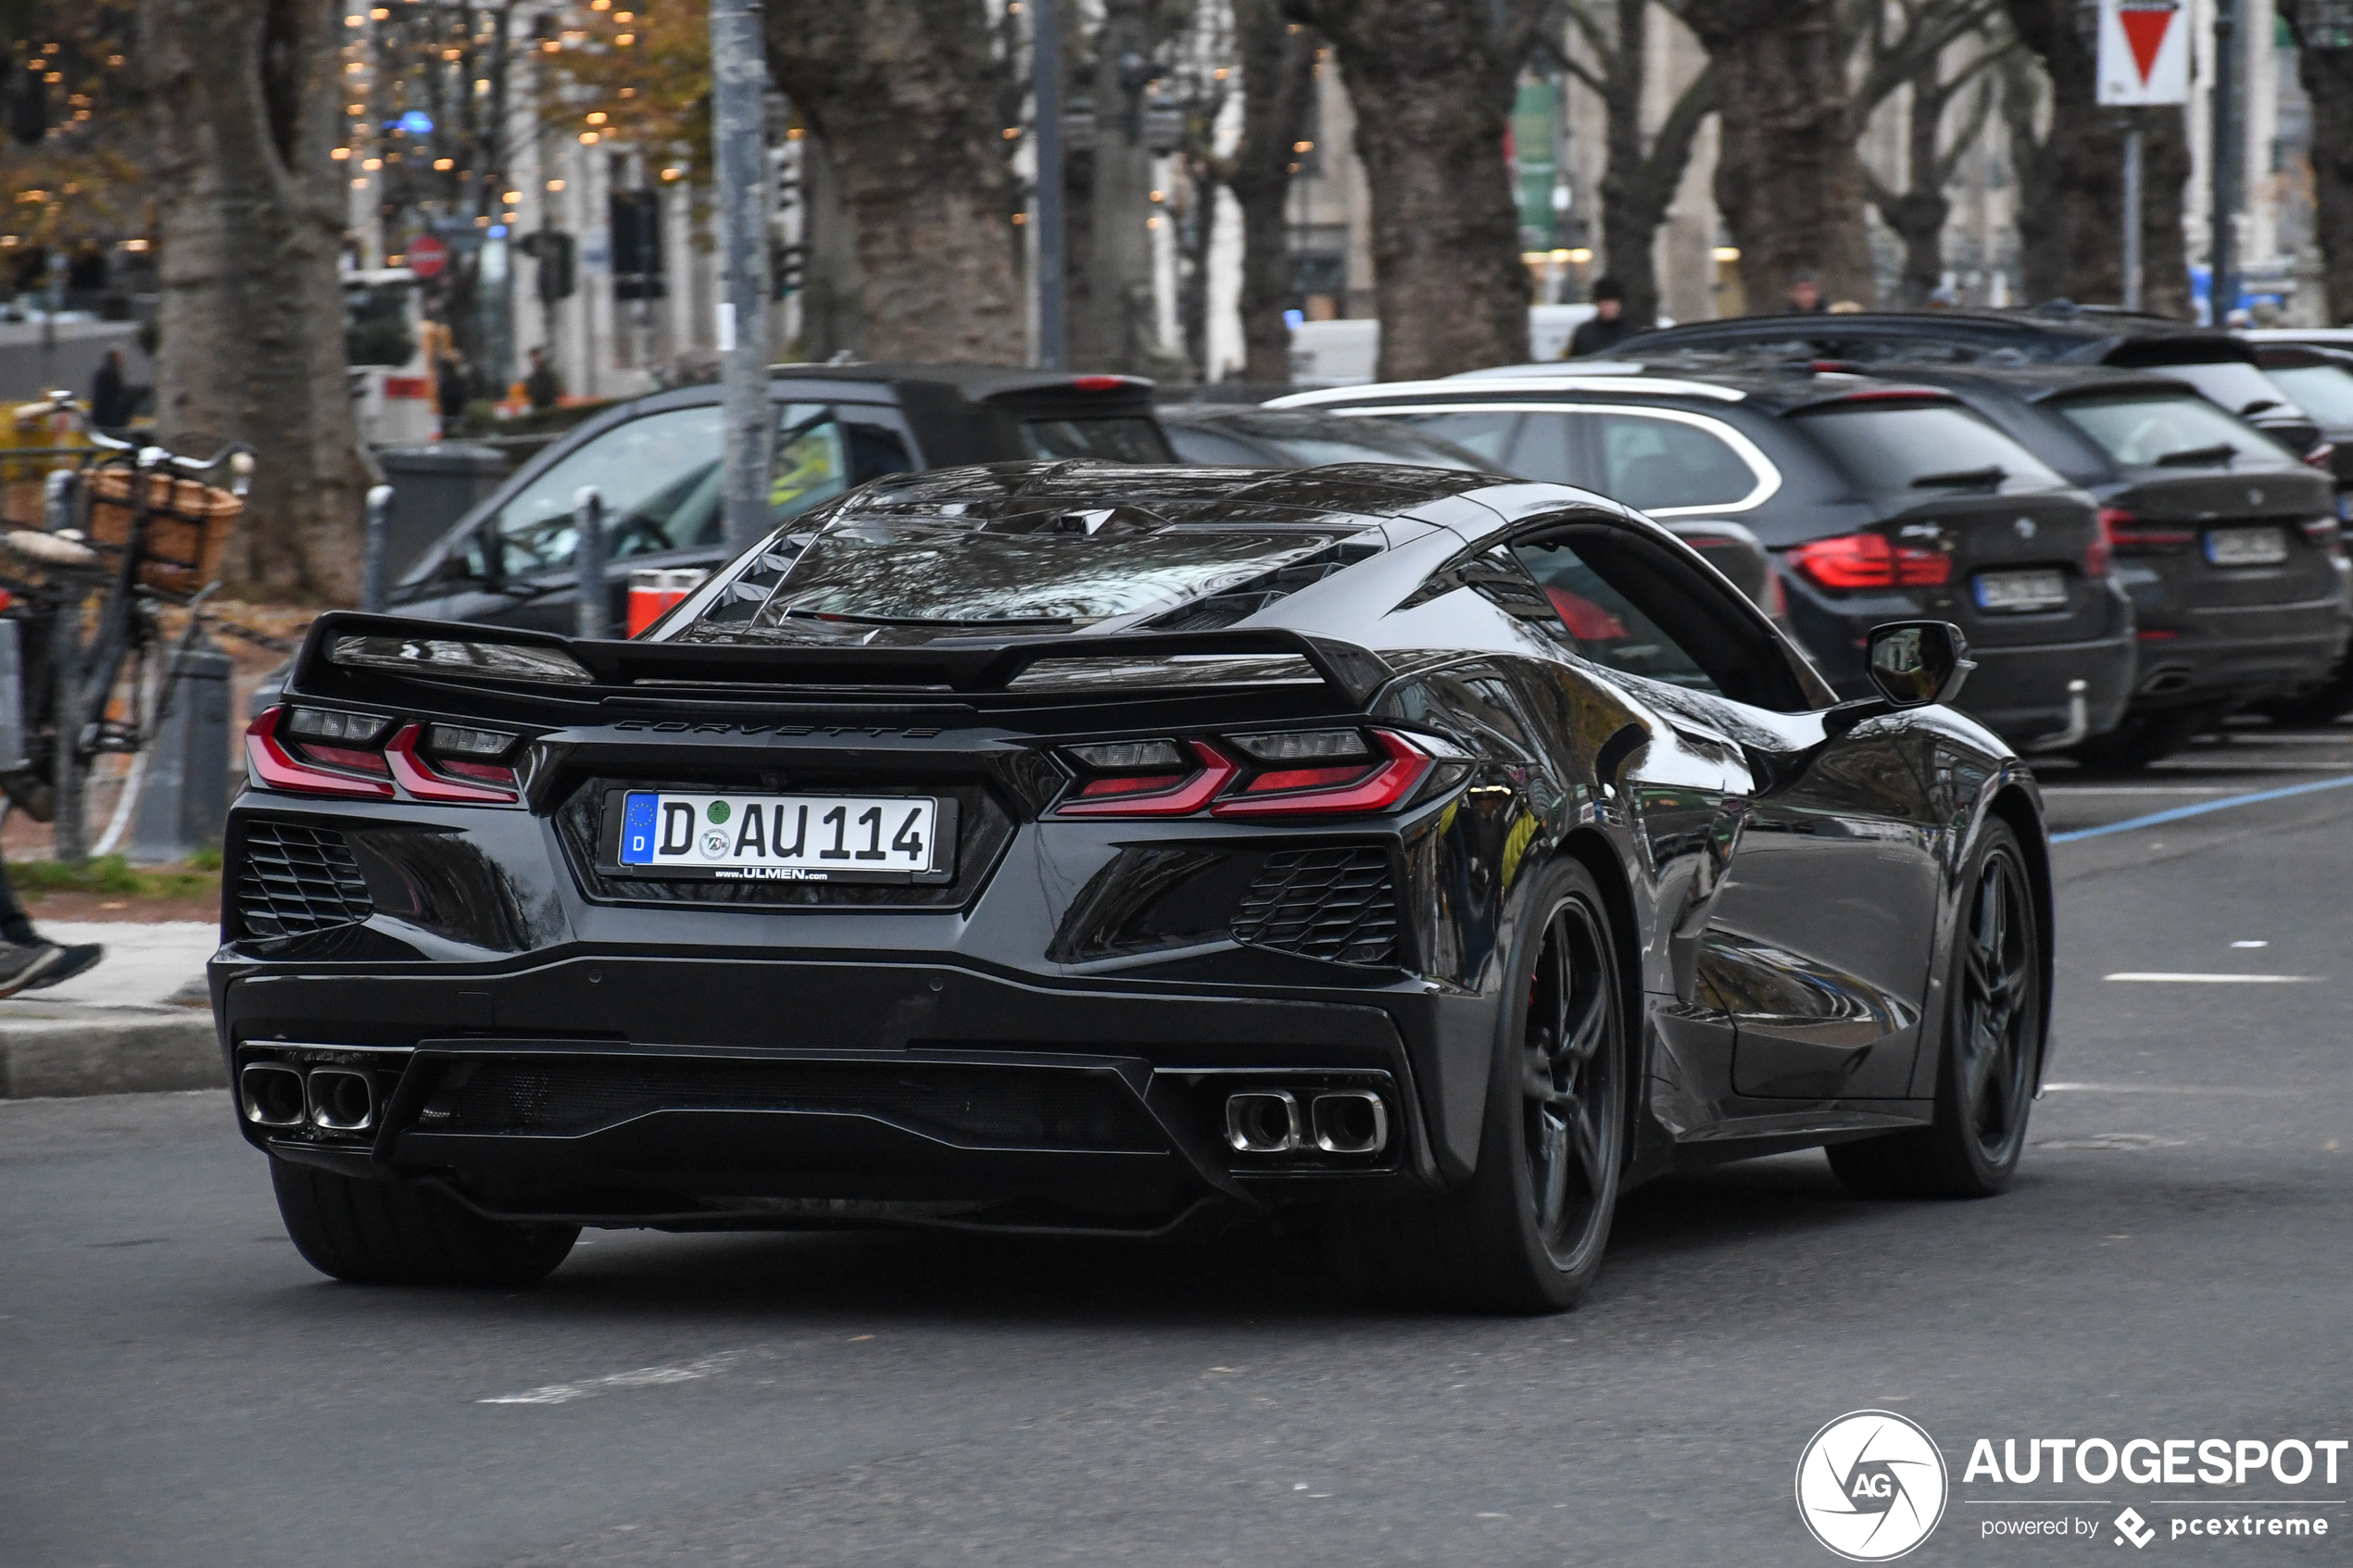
[[128, 532]]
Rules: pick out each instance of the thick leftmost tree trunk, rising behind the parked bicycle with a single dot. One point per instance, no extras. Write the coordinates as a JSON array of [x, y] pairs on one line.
[[251, 213]]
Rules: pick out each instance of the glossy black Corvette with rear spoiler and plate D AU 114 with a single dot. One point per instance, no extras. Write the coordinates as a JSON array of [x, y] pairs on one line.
[[1098, 850]]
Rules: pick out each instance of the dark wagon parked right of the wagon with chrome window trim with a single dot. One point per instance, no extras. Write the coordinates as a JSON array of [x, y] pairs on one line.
[[2225, 542]]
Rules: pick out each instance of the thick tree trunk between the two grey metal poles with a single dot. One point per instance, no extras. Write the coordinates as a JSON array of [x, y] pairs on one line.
[[902, 93]]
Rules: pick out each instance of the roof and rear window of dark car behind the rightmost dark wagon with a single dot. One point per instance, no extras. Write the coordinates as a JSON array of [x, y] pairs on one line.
[[2218, 363]]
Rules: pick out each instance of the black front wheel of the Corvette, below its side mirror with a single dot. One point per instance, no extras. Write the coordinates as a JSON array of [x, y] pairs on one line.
[[1992, 1047]]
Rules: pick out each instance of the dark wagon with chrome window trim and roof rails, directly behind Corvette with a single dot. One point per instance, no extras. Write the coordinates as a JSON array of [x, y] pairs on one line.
[[1879, 502]]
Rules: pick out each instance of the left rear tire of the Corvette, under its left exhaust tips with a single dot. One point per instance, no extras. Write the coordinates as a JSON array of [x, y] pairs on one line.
[[399, 1235]]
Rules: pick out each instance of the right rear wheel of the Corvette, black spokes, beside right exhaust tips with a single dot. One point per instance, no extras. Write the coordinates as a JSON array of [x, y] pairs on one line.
[[1531, 1226]]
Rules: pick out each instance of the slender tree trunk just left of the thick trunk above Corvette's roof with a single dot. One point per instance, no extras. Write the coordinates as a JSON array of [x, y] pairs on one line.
[[1279, 105]]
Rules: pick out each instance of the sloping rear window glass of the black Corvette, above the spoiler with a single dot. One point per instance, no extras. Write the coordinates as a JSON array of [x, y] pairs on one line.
[[940, 572]]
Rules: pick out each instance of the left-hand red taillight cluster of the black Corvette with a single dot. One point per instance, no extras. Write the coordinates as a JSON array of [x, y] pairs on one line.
[[324, 751]]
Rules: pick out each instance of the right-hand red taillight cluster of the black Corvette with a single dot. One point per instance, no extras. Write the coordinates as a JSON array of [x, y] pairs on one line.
[[1317, 772]]
